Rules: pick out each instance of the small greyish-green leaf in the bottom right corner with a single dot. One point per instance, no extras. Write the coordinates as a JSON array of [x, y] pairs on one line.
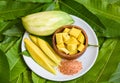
[[115, 77]]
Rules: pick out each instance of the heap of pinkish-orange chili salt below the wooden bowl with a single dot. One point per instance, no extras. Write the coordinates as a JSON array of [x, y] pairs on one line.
[[70, 67]]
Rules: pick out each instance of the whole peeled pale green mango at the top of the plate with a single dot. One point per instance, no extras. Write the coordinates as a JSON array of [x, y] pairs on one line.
[[45, 23]]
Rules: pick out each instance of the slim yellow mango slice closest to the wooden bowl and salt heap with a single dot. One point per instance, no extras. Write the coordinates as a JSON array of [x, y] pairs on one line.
[[45, 48]]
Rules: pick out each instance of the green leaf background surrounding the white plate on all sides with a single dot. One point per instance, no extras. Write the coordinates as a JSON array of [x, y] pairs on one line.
[[102, 15]]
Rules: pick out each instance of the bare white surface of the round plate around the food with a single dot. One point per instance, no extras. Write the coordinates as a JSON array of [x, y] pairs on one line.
[[87, 59]]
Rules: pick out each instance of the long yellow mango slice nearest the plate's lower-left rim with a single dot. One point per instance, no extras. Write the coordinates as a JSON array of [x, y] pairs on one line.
[[38, 55]]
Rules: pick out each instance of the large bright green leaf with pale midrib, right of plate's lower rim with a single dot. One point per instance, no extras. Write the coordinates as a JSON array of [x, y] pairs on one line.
[[106, 63]]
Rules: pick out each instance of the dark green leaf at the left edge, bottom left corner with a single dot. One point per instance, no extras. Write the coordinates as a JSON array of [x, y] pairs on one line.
[[4, 68]]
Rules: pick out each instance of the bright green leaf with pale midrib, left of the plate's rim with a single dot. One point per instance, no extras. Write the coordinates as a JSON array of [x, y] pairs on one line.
[[17, 65]]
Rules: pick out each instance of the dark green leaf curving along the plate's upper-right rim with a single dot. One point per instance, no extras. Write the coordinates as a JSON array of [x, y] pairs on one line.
[[77, 9]]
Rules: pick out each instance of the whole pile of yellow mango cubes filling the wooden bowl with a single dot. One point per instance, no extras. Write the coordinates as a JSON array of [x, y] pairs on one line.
[[70, 41]]
